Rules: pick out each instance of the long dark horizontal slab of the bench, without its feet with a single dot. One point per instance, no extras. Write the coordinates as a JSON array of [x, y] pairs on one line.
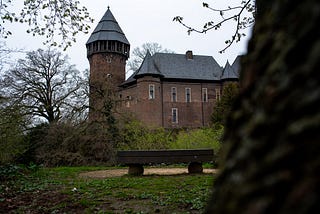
[[164, 156]]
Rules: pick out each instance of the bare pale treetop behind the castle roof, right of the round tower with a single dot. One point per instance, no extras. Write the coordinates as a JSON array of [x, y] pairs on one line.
[[139, 53]]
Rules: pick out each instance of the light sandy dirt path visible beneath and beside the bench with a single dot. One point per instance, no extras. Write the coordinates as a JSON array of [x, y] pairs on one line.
[[147, 171]]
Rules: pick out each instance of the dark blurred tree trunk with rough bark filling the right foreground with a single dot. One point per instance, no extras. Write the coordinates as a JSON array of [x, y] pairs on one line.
[[271, 160]]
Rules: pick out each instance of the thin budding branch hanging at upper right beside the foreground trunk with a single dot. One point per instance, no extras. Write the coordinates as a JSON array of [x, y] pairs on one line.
[[243, 16]]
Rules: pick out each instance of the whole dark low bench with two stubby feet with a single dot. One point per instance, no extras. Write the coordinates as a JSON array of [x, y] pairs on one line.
[[135, 159]]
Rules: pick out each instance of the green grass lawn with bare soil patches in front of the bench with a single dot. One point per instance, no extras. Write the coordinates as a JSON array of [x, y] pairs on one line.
[[62, 190]]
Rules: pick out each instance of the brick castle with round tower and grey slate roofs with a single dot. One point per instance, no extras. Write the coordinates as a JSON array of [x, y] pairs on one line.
[[168, 90]]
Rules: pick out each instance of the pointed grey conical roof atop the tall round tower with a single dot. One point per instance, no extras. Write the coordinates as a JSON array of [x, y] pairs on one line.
[[108, 29]]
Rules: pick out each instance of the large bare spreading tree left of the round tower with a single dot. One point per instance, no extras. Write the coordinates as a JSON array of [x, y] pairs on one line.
[[46, 85]]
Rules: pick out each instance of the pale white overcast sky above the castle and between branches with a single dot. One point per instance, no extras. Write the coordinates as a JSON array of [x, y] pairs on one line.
[[150, 21]]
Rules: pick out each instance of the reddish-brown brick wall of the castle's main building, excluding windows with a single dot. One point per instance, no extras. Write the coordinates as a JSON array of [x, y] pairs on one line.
[[158, 111]]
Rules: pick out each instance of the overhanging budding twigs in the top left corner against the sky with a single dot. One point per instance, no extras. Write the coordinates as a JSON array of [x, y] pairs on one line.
[[65, 18]]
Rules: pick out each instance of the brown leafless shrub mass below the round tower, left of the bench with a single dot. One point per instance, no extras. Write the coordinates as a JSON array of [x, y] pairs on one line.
[[64, 144]]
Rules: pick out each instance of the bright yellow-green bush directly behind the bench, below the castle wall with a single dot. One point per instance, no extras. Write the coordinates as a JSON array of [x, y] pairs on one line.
[[136, 136]]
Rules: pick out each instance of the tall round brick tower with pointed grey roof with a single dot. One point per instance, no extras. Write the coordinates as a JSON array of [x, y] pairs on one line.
[[107, 52]]
